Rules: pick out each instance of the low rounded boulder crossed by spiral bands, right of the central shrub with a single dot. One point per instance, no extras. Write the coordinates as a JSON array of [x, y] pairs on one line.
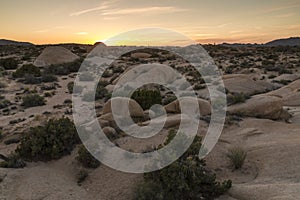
[[174, 107]]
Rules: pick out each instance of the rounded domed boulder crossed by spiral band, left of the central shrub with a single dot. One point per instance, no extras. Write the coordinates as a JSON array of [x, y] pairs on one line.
[[134, 108]]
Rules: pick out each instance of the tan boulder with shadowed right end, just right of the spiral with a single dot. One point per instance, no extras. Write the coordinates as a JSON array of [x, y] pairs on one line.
[[262, 106]]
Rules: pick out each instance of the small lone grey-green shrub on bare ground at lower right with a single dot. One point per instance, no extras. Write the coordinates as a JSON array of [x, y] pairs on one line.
[[237, 156]]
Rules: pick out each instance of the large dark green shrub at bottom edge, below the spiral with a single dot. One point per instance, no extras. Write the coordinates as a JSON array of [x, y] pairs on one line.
[[187, 178]]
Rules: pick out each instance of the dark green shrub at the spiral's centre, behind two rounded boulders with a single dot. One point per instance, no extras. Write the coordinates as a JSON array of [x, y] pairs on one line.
[[147, 98]]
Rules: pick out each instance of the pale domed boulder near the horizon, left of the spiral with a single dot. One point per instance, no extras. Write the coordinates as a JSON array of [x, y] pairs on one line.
[[54, 55]]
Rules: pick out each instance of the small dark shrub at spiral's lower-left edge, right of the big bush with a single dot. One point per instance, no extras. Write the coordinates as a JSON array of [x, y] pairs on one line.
[[86, 159]]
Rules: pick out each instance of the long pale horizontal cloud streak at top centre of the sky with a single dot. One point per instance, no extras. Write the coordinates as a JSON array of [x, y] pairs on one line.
[[151, 10]]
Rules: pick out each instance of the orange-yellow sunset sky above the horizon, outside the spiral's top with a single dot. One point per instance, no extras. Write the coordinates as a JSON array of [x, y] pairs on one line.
[[209, 21]]
